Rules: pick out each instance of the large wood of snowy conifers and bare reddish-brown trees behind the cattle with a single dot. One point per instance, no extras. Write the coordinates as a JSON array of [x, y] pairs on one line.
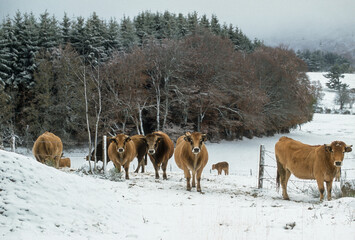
[[158, 71]]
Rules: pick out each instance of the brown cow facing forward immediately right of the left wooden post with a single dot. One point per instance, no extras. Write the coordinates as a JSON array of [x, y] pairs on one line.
[[121, 152]]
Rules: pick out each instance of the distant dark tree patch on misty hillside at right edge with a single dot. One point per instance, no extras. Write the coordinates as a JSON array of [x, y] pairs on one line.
[[320, 61]]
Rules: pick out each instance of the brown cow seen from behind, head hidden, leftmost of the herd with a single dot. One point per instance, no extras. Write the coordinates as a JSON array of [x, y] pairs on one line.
[[48, 149]]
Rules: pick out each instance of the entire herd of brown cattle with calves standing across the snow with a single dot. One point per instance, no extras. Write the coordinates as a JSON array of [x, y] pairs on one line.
[[319, 162]]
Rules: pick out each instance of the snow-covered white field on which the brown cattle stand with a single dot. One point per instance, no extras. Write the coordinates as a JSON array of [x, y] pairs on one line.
[[40, 202]]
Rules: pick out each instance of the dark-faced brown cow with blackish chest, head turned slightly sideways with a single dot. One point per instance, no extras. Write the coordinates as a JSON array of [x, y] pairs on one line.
[[160, 150]]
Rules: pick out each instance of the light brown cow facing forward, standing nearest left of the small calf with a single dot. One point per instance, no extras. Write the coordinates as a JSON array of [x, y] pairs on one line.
[[191, 155]]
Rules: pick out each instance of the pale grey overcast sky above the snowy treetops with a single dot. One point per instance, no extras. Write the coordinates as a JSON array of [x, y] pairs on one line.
[[263, 19]]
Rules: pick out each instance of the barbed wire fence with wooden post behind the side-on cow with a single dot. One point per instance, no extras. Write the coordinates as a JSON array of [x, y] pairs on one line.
[[268, 170]]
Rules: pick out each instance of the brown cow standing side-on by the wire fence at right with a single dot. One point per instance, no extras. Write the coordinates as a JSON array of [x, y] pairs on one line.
[[319, 162]]
